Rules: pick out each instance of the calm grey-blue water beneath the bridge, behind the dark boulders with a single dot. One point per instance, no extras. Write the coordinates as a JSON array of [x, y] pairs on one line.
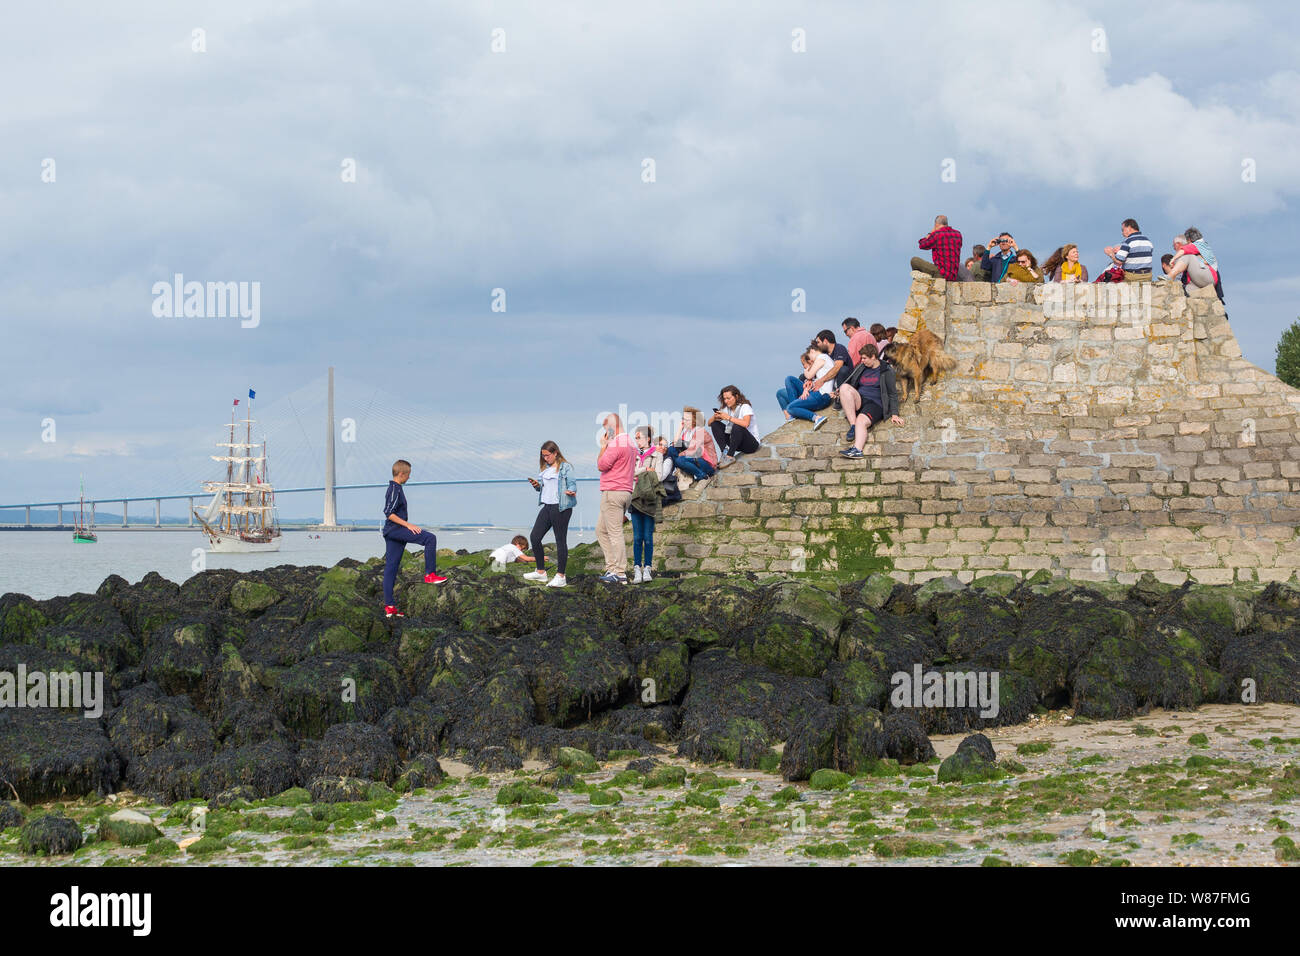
[[47, 564]]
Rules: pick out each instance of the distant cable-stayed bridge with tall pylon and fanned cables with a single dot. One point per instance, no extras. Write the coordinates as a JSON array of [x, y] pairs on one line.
[[318, 443]]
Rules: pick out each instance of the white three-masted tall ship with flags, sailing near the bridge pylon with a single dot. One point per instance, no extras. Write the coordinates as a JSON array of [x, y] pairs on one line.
[[241, 518]]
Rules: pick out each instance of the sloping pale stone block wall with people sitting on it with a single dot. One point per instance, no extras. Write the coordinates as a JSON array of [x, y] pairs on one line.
[[1095, 438]]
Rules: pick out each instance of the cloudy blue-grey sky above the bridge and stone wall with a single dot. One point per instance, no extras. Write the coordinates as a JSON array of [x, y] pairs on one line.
[[137, 149]]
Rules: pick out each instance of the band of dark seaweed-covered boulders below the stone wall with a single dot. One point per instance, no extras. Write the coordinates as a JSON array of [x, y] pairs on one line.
[[240, 687]]
